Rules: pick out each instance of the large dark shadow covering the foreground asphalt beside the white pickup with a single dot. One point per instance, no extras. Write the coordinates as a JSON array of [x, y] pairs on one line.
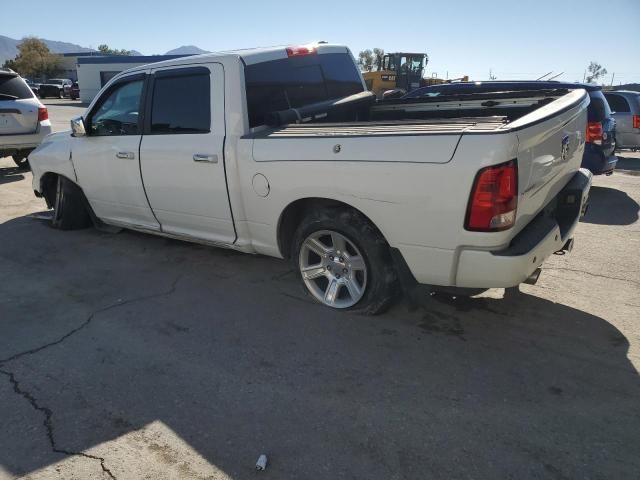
[[227, 351]]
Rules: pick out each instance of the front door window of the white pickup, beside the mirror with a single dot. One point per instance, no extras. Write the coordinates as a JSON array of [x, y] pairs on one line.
[[118, 113]]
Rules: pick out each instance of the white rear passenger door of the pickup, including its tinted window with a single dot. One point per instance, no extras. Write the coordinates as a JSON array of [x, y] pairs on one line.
[[182, 152]]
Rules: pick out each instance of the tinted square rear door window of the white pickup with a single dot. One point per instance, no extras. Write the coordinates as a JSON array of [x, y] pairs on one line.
[[181, 104]]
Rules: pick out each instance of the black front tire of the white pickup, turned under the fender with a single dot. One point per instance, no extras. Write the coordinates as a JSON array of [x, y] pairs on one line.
[[70, 209]]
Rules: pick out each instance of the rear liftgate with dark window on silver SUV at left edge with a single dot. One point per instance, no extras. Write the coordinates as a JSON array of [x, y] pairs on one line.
[[18, 107]]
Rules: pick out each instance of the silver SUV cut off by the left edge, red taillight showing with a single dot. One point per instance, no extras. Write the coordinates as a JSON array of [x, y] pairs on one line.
[[24, 121]]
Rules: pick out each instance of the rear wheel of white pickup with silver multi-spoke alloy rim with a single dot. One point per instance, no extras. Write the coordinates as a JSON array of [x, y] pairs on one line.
[[344, 262]]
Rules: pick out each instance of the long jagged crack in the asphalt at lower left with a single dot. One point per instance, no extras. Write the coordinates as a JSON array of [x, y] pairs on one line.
[[48, 413]]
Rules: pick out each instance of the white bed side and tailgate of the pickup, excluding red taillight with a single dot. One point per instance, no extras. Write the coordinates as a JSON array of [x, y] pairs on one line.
[[413, 177]]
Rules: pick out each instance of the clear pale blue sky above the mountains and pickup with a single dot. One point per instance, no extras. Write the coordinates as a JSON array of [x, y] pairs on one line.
[[515, 39]]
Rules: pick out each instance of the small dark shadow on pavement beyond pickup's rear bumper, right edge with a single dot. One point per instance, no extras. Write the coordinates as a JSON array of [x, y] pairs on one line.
[[610, 206]]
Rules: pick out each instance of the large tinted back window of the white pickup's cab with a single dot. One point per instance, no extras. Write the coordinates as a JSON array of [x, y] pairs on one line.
[[298, 81]]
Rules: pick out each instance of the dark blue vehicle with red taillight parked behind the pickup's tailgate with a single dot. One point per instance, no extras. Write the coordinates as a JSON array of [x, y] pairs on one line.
[[600, 134]]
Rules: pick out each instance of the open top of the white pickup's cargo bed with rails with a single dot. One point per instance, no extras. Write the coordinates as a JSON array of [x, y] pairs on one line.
[[360, 115]]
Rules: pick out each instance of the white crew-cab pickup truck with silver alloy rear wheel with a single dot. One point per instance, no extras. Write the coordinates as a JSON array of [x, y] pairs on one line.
[[282, 152]]
